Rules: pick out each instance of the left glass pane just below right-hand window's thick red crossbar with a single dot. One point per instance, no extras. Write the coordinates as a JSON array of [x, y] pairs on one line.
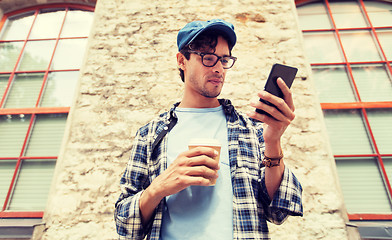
[[347, 132]]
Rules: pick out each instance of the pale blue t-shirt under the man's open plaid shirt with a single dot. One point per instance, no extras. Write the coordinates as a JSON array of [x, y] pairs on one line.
[[199, 212]]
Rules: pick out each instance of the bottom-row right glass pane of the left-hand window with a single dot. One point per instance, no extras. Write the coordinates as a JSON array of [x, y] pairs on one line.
[[33, 185]]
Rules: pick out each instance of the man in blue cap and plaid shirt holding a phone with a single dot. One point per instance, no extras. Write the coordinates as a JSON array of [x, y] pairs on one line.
[[166, 190]]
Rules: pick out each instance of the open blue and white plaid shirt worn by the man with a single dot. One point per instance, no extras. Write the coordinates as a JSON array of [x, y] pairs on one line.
[[252, 206]]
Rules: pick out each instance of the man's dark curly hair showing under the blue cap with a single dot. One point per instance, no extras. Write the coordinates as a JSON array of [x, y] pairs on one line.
[[205, 42]]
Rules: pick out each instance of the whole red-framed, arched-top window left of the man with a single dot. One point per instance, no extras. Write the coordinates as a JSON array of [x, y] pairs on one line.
[[41, 51]]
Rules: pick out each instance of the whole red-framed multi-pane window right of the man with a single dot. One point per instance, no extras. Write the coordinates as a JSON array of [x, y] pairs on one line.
[[349, 46]]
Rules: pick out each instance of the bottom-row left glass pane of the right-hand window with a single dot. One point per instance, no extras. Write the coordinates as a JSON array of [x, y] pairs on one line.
[[363, 187]]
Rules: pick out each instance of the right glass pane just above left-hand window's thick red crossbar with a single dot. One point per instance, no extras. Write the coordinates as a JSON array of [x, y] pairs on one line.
[[60, 88]]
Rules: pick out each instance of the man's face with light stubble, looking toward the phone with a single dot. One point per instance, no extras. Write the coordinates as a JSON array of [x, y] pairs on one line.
[[206, 81]]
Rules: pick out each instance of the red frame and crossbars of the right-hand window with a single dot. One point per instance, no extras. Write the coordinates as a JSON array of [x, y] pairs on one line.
[[359, 104]]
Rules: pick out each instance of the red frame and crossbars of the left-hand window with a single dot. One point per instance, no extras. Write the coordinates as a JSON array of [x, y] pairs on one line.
[[36, 110]]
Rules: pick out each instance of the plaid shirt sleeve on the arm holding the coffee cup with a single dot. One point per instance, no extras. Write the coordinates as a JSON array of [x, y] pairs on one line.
[[127, 213]]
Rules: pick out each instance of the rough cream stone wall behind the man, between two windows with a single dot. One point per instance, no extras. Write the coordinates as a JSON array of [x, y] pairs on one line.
[[130, 75]]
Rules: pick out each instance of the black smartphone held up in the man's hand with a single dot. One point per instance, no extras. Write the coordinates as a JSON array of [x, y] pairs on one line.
[[287, 73]]
